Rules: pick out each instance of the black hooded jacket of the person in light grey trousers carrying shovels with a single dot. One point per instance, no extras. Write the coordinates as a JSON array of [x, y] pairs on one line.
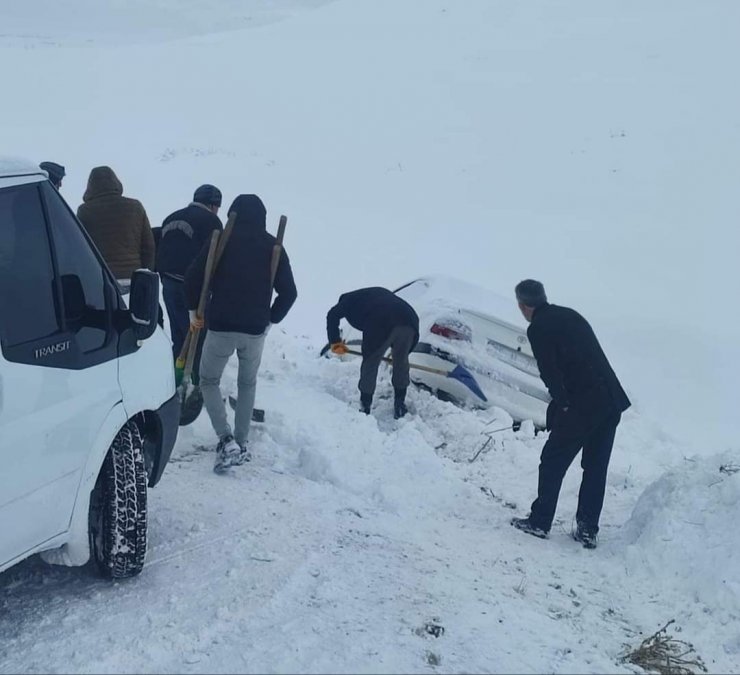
[[240, 289]]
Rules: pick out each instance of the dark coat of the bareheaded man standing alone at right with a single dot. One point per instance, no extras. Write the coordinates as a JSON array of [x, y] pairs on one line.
[[573, 366]]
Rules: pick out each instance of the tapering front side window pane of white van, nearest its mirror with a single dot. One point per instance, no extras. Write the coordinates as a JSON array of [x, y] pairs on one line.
[[82, 278]]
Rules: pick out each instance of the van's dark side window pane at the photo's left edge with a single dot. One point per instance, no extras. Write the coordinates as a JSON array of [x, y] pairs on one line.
[[28, 310]]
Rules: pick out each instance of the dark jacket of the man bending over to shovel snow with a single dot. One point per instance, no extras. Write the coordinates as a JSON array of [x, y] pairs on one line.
[[375, 311]]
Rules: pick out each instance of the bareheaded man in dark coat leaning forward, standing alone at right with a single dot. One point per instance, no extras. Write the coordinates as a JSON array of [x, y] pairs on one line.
[[587, 403]]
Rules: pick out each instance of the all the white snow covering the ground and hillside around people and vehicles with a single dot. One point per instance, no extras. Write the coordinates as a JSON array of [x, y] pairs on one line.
[[590, 145]]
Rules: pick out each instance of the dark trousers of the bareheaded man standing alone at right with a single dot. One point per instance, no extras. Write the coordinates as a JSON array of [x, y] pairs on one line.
[[567, 437]]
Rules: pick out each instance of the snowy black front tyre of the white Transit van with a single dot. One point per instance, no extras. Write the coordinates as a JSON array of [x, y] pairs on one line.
[[118, 513]]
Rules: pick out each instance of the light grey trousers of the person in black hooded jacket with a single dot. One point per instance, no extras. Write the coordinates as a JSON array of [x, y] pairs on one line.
[[217, 350]]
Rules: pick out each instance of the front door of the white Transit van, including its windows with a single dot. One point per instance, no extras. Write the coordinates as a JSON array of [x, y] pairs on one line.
[[58, 369]]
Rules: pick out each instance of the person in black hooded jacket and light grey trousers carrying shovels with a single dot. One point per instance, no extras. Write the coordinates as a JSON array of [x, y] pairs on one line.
[[240, 313]]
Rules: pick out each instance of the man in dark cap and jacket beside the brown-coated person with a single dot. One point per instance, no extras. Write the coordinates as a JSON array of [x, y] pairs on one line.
[[182, 236]]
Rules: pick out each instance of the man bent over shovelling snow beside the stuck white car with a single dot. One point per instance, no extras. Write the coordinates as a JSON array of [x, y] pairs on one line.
[[386, 322]]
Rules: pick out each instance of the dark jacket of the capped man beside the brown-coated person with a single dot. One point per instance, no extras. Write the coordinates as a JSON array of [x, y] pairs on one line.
[[183, 235]]
